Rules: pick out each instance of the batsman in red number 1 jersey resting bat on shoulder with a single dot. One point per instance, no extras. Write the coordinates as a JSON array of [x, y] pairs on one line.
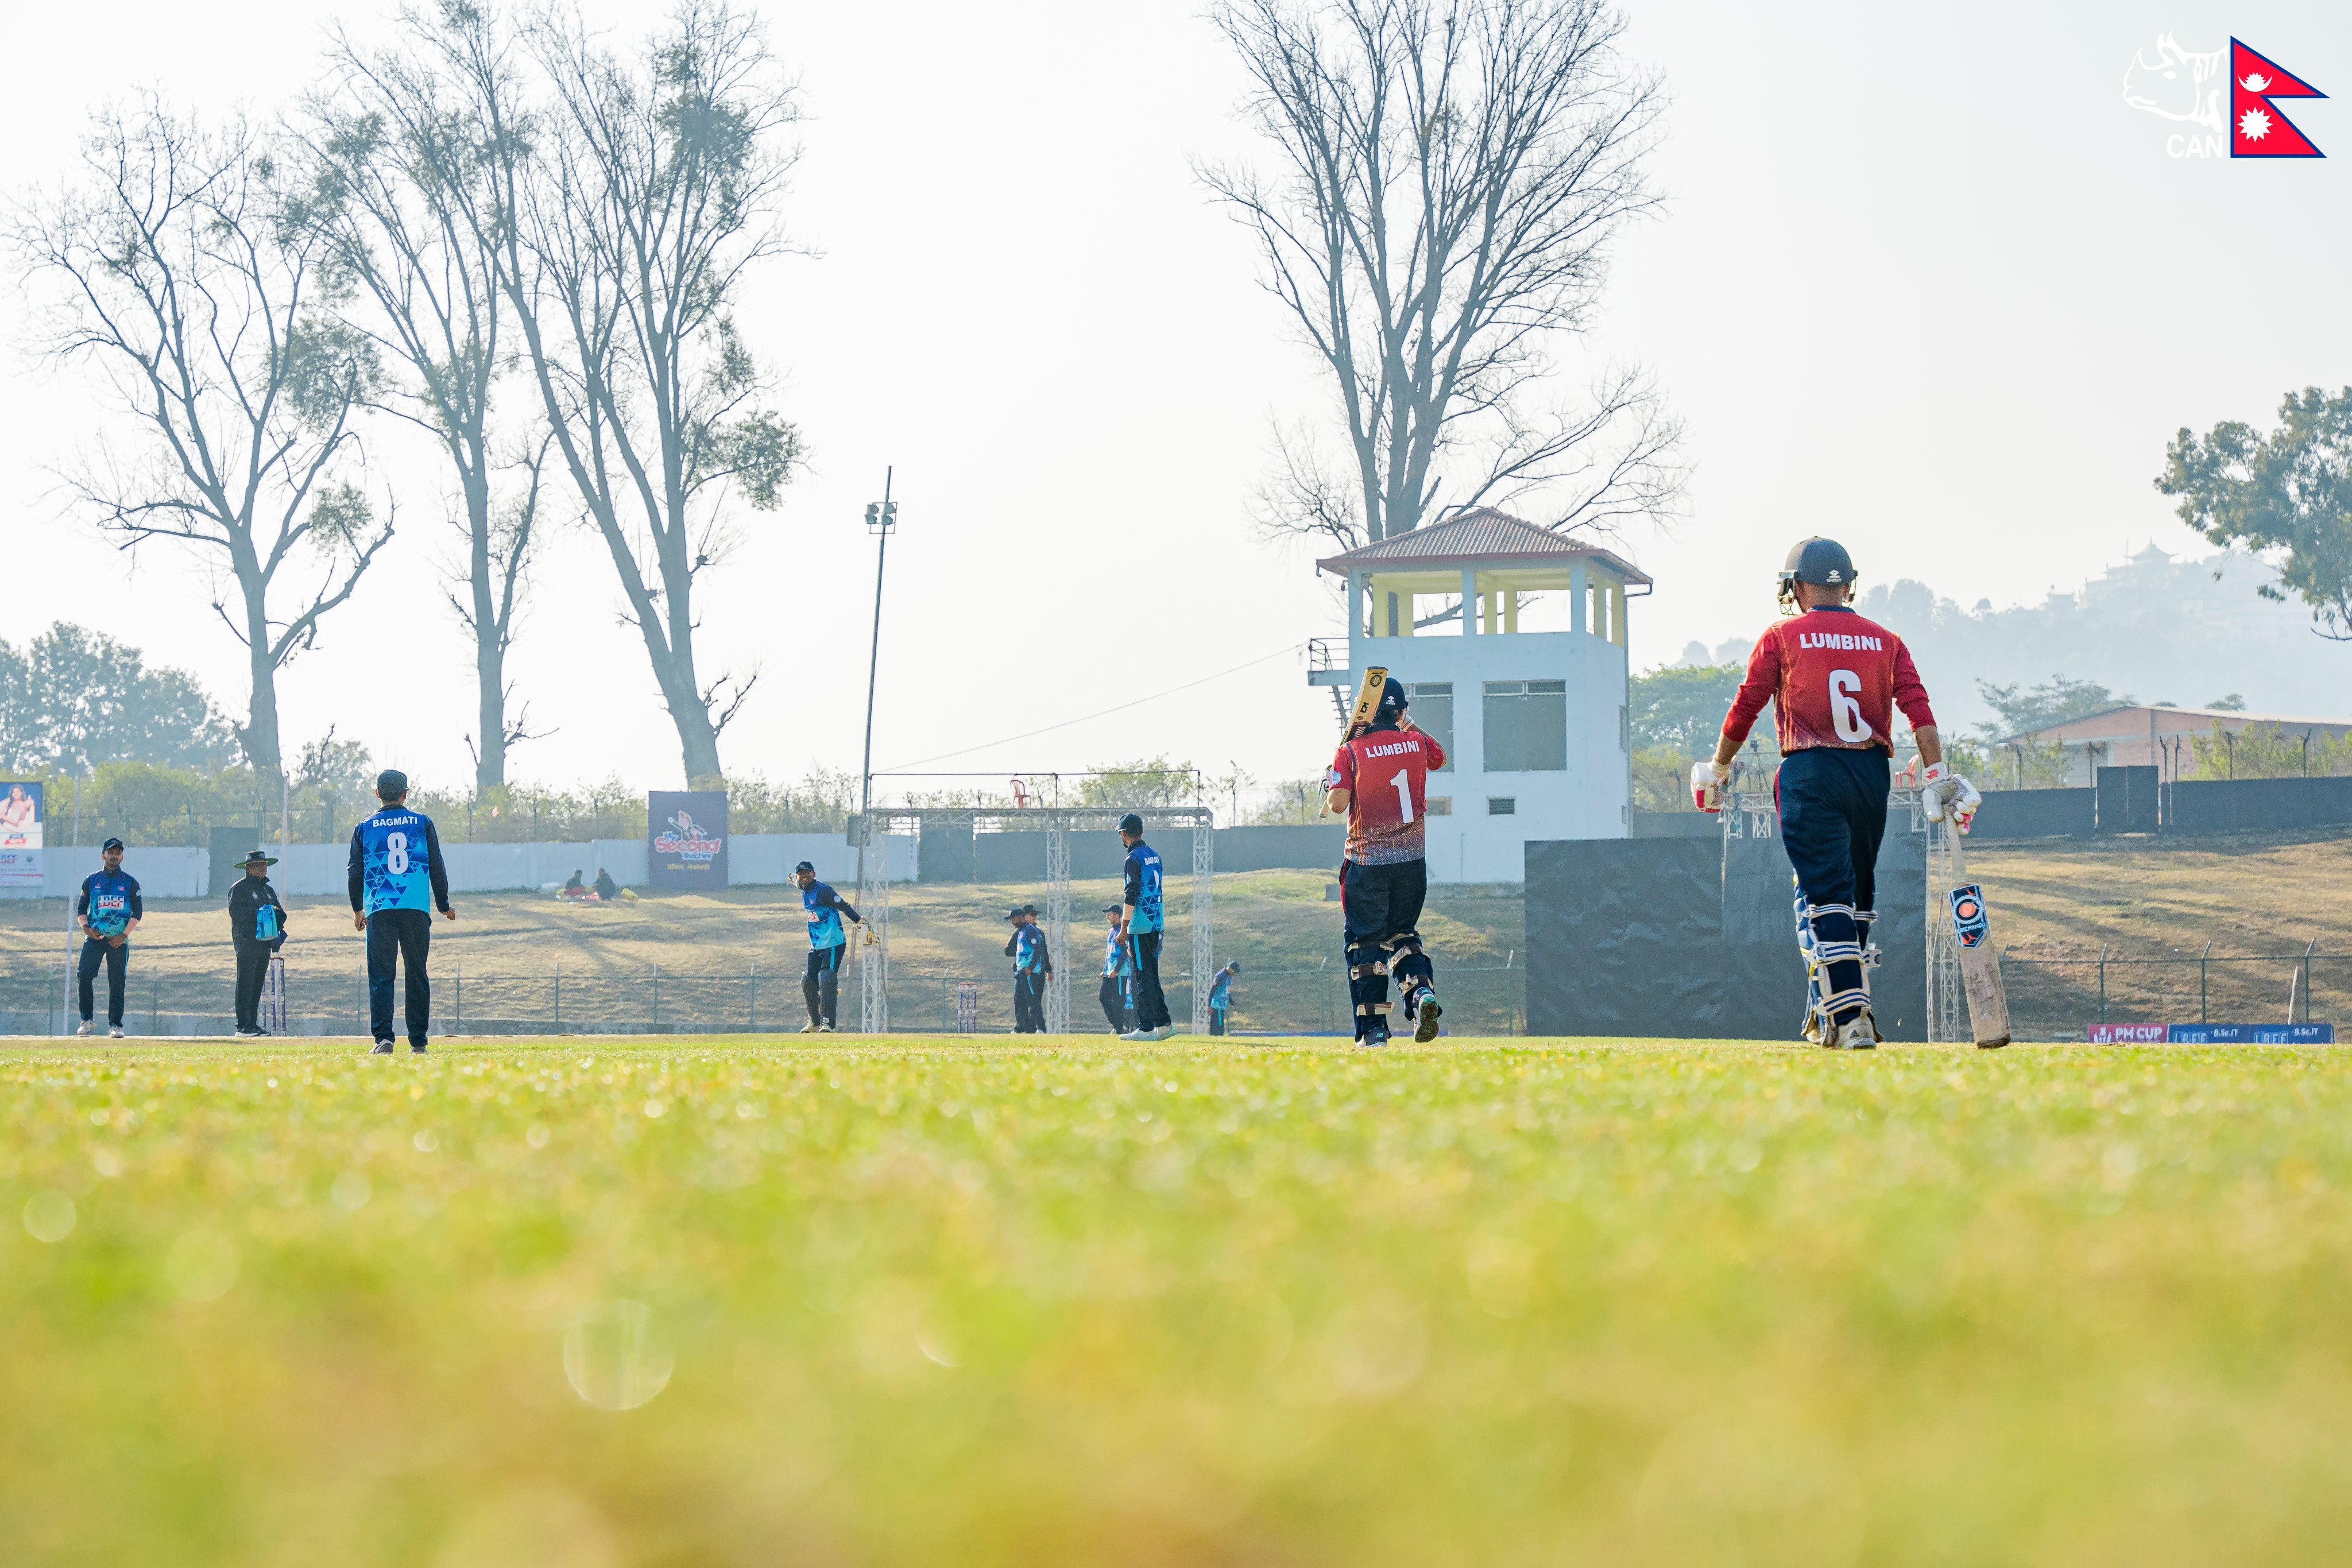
[[1382, 784]]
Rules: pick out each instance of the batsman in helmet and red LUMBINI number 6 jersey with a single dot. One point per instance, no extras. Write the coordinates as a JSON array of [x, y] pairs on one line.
[[1836, 683]]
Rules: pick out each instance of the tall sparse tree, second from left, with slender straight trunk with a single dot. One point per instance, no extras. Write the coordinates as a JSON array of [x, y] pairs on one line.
[[415, 201]]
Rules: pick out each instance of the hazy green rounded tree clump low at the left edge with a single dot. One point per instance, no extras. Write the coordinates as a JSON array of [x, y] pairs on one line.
[[74, 699]]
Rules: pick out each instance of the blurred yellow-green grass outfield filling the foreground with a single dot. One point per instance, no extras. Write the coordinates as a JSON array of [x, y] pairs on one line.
[[613, 1304]]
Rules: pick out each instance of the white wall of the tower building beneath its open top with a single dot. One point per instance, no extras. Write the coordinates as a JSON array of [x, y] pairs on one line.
[[1586, 800]]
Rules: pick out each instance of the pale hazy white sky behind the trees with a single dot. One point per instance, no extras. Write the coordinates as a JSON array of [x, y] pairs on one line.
[[1925, 283]]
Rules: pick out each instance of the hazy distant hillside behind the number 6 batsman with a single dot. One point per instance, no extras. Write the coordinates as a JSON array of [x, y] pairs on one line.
[[2158, 629]]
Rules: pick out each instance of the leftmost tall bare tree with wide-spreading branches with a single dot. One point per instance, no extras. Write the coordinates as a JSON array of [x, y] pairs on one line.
[[173, 272]]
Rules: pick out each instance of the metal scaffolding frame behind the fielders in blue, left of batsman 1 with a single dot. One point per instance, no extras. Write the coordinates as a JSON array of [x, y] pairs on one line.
[[876, 829]]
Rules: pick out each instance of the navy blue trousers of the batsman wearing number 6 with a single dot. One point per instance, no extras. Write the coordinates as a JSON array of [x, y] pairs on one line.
[[1833, 817]]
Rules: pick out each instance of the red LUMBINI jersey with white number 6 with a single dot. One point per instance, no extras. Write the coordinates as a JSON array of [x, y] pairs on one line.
[[1833, 678]]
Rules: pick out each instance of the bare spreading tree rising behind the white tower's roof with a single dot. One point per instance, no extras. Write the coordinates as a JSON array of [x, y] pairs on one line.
[[1448, 187]]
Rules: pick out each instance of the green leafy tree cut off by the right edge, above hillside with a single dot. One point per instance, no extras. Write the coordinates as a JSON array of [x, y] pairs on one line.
[[2287, 492]]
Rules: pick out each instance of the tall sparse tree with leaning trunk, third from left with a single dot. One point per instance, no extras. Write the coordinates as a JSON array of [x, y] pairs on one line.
[[650, 201]]
